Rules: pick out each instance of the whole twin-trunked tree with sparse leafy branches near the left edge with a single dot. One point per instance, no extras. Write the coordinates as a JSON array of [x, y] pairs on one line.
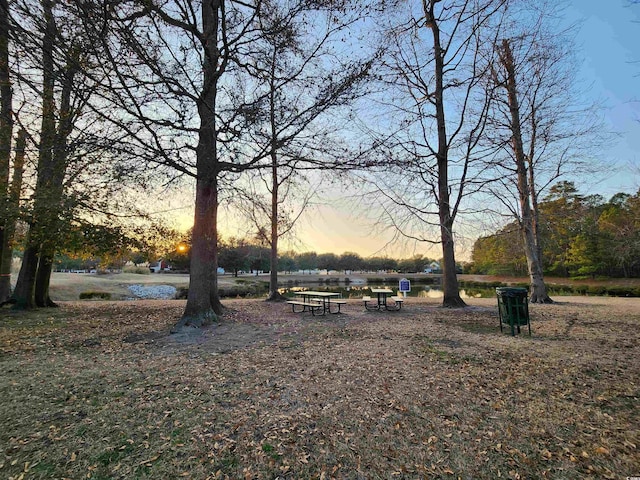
[[53, 70]]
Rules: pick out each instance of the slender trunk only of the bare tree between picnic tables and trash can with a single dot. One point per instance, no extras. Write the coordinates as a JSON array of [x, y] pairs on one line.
[[449, 278]]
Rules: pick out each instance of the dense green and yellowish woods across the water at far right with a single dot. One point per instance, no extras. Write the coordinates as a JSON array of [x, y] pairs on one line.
[[580, 235]]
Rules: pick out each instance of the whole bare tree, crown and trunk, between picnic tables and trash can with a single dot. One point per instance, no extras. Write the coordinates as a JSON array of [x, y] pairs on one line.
[[437, 116]]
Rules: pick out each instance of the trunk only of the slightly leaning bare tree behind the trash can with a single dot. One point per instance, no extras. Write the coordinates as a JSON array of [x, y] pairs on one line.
[[538, 293]]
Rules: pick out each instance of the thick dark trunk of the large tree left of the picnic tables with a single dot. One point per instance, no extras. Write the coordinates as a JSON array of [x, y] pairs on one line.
[[203, 301]]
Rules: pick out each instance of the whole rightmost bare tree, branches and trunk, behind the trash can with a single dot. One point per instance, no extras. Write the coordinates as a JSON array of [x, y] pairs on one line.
[[536, 124]]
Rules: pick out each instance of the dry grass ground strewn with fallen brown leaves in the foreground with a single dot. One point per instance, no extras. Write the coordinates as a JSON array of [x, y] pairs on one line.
[[99, 390]]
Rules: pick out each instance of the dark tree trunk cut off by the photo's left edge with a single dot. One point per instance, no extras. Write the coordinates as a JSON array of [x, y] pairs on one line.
[[6, 132]]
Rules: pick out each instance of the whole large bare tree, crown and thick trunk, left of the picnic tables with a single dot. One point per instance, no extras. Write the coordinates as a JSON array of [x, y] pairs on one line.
[[168, 99]]
